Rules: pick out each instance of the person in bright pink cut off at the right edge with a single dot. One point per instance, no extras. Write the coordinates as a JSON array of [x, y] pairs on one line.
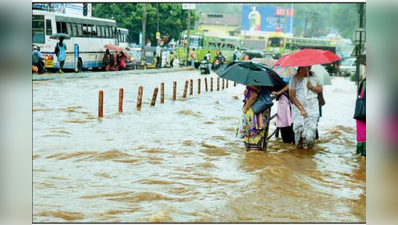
[[361, 124]]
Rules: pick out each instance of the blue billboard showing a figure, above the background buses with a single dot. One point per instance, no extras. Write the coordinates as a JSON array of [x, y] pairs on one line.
[[266, 19]]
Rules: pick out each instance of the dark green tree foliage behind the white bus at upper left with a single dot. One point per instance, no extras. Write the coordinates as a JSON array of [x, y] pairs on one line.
[[172, 18]]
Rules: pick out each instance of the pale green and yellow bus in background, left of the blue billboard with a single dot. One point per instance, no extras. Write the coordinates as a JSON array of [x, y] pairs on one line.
[[204, 42]]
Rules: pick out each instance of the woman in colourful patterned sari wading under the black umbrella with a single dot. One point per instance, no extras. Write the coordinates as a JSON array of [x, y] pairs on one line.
[[255, 128]]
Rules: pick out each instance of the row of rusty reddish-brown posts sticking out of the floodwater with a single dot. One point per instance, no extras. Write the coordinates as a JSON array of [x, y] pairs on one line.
[[155, 93]]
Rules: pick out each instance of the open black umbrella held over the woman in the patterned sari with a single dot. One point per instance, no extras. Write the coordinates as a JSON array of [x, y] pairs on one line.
[[249, 73]]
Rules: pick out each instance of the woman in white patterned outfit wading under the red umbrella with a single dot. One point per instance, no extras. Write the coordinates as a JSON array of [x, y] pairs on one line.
[[303, 91]]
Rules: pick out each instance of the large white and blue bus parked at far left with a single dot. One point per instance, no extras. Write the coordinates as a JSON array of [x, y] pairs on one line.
[[88, 36]]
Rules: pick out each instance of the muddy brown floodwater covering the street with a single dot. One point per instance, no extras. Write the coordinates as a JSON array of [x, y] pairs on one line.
[[180, 161]]
